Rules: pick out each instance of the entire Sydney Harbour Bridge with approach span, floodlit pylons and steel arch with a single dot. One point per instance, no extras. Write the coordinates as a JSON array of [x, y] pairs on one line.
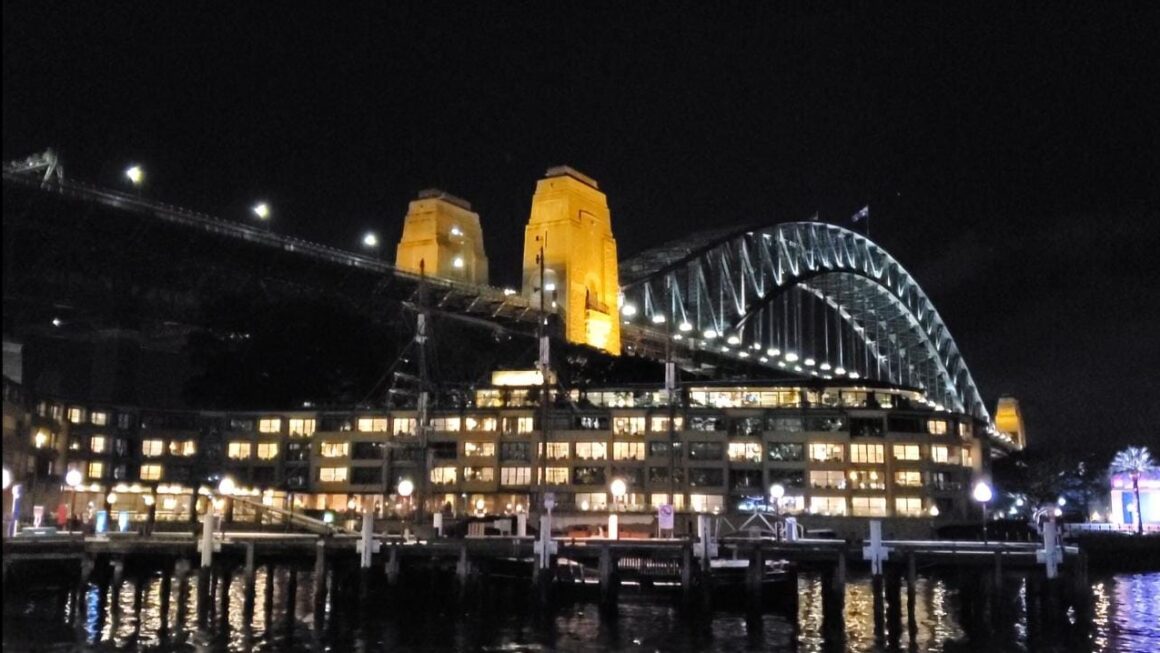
[[802, 300]]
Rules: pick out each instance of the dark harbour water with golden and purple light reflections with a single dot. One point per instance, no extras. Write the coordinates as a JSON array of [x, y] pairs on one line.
[[1125, 618]]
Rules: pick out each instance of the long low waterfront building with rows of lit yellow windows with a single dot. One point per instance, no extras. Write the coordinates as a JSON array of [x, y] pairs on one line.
[[838, 448]]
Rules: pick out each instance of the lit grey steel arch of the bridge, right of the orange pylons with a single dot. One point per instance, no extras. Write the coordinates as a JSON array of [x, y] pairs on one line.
[[748, 293]]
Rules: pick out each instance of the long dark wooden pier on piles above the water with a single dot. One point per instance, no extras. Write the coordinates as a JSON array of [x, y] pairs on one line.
[[358, 567]]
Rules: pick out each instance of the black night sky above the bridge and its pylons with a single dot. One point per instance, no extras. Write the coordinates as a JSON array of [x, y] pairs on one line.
[[1012, 161]]
